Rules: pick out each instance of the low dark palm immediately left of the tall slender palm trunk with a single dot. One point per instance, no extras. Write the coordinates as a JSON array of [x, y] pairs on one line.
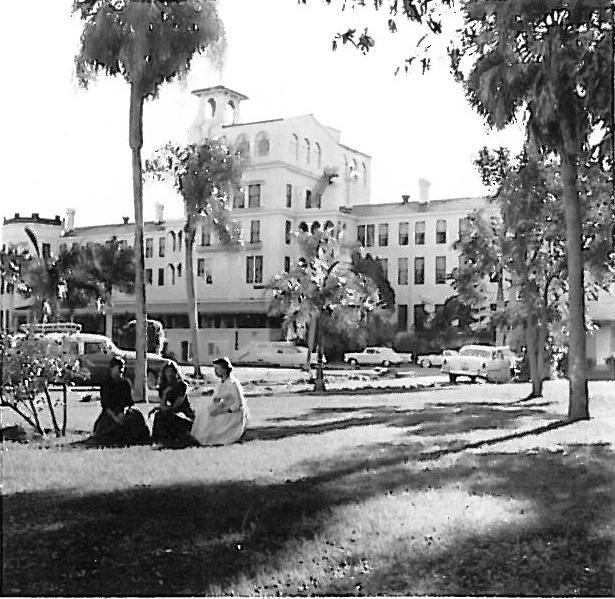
[[110, 267]]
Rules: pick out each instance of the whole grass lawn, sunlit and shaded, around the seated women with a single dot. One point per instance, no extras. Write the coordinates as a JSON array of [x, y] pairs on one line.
[[442, 492]]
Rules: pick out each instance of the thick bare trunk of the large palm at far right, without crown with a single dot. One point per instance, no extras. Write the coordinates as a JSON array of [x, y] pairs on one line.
[[578, 408]]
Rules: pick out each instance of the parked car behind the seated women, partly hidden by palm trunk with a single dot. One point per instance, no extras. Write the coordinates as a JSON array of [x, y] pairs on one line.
[[95, 351]]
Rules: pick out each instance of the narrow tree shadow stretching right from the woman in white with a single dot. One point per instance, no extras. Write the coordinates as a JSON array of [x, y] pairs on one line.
[[430, 420]]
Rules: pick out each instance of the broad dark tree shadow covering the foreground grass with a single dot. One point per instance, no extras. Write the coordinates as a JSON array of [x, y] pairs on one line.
[[198, 538]]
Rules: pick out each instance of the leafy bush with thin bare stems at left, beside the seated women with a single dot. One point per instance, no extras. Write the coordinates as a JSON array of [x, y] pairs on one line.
[[30, 364]]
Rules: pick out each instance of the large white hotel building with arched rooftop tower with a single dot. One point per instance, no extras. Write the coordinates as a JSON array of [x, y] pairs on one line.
[[287, 187]]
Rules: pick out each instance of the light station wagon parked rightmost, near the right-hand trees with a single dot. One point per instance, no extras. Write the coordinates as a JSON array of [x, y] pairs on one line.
[[478, 361]]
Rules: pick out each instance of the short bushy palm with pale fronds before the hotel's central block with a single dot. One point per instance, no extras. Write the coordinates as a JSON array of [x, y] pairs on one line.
[[321, 286]]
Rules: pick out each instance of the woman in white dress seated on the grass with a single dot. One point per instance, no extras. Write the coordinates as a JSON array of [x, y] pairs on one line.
[[224, 420]]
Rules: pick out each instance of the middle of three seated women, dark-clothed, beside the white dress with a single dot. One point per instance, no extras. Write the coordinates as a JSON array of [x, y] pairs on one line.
[[174, 417]]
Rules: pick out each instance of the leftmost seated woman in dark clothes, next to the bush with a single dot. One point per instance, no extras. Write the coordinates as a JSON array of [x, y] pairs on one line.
[[118, 423]]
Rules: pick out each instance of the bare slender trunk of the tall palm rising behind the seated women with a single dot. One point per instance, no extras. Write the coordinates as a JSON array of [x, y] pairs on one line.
[[136, 142]]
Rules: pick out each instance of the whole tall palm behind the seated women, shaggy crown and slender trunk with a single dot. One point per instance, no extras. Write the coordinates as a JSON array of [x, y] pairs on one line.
[[148, 42]]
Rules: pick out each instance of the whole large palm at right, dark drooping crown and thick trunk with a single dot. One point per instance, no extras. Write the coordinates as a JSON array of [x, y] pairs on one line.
[[546, 61]]
